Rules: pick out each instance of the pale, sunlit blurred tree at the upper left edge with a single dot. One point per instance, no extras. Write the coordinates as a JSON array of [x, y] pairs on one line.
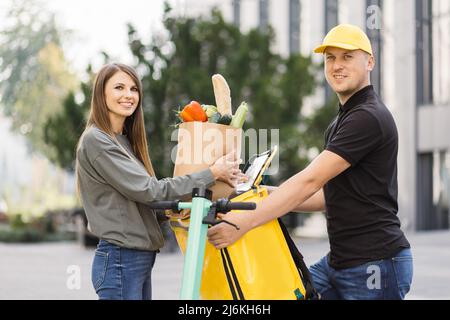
[[34, 74]]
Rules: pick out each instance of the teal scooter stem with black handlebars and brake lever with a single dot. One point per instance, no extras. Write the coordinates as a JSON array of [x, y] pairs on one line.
[[203, 213]]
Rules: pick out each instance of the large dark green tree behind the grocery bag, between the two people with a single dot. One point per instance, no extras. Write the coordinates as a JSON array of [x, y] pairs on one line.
[[177, 67]]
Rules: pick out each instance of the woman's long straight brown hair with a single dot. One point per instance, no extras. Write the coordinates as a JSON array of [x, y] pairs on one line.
[[134, 124]]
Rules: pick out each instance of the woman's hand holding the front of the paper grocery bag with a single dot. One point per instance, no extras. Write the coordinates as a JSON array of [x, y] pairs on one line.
[[226, 169]]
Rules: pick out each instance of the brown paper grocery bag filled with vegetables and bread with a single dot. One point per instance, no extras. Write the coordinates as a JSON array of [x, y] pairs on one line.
[[200, 144]]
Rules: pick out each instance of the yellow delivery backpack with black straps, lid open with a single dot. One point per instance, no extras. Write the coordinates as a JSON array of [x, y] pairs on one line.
[[264, 264]]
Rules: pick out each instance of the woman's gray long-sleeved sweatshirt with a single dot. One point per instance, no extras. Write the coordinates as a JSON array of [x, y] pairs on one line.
[[115, 191]]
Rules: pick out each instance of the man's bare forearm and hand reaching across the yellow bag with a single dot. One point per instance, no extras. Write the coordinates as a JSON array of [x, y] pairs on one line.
[[291, 194]]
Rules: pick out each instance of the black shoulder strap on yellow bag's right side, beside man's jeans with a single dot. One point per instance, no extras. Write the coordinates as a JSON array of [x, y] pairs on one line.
[[311, 293]]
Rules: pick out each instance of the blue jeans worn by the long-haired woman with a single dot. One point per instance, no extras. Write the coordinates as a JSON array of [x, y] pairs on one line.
[[122, 274]]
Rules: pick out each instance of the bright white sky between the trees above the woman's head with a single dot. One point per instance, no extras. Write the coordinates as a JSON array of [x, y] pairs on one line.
[[101, 25]]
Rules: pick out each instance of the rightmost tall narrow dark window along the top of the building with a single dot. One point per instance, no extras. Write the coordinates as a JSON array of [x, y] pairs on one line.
[[424, 52]]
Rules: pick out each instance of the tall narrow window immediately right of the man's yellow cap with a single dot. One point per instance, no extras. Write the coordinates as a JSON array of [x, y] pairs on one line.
[[373, 30]]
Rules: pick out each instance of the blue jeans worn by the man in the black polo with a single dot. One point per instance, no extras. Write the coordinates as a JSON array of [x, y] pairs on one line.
[[388, 279]]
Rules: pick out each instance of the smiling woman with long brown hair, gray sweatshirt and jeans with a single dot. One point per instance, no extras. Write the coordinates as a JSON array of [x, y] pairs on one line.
[[116, 181]]
